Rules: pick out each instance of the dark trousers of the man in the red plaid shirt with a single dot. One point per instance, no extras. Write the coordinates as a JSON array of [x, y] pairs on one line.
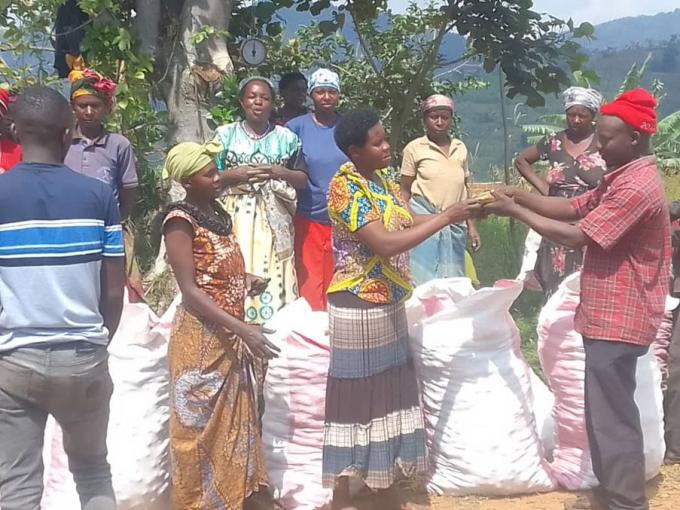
[[613, 423]]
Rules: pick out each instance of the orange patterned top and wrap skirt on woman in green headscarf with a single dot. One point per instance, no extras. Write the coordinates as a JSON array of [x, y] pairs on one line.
[[215, 444]]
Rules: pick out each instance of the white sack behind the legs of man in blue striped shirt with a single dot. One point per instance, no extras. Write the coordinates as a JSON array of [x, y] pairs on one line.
[[138, 425]]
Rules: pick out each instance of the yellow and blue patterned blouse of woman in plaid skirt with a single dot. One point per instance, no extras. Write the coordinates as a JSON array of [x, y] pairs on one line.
[[354, 201]]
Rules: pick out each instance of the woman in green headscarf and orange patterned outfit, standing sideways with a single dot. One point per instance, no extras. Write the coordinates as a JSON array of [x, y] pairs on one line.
[[215, 358]]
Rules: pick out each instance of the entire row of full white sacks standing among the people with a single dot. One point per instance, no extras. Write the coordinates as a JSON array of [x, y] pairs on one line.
[[489, 418]]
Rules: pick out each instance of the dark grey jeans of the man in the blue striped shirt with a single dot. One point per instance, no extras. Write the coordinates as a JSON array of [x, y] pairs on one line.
[[70, 381]]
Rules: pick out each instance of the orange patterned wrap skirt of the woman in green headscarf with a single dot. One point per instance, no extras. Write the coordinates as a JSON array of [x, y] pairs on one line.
[[215, 445]]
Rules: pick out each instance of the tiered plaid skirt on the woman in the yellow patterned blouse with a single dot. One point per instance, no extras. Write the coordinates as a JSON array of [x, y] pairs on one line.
[[374, 425]]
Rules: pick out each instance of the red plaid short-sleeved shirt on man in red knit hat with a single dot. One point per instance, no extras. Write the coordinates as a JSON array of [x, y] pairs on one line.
[[624, 279]]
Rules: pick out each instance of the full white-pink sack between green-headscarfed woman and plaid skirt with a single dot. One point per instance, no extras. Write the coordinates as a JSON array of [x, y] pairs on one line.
[[295, 395]]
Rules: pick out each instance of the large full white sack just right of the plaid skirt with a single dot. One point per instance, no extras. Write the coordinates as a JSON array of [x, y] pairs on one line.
[[476, 391]]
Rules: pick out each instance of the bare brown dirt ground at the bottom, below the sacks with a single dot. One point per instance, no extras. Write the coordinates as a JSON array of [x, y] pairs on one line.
[[664, 493]]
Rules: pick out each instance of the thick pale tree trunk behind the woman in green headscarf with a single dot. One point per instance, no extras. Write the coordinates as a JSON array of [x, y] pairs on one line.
[[186, 94]]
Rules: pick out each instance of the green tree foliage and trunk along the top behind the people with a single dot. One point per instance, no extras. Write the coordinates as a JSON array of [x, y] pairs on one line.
[[177, 61]]
